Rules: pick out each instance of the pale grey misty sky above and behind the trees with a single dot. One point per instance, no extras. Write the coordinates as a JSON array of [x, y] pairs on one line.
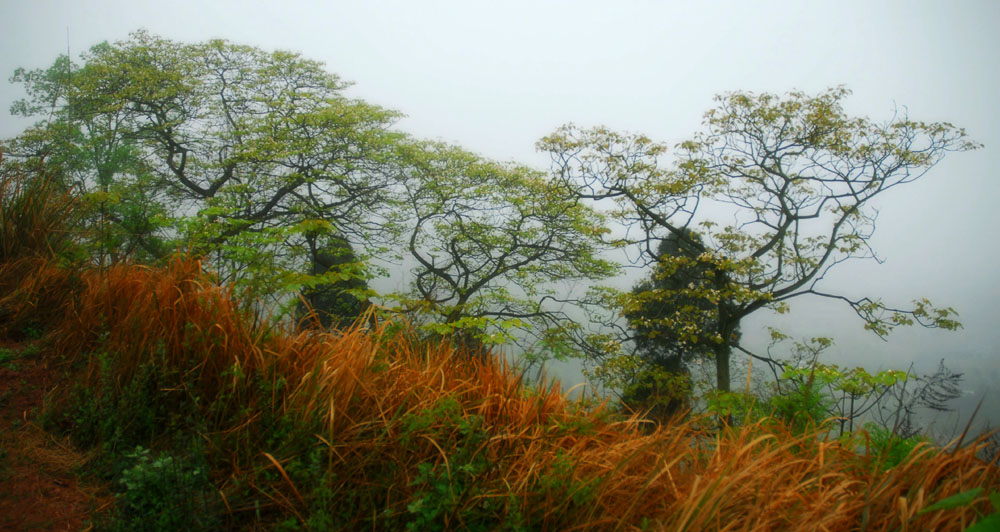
[[496, 76]]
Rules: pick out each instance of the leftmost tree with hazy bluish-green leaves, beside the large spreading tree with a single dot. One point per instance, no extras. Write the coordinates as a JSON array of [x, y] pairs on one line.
[[88, 151]]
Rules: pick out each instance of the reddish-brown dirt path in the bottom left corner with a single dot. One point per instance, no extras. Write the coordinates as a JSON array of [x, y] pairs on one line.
[[39, 489]]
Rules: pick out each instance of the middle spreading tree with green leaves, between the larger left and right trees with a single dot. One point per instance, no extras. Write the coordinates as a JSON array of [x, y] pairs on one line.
[[488, 242]]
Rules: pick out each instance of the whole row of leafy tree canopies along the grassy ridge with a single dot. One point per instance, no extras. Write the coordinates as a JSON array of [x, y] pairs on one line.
[[259, 163]]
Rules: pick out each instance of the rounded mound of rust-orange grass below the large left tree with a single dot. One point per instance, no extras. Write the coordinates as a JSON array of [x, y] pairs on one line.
[[175, 312]]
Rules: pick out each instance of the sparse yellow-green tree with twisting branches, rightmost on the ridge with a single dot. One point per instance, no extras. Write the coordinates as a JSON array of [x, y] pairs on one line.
[[796, 175]]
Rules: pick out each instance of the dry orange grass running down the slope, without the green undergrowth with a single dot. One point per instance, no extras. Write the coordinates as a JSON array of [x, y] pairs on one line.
[[362, 383]]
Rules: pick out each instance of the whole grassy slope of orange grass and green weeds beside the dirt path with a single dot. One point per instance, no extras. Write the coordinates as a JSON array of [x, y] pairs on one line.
[[202, 420]]
